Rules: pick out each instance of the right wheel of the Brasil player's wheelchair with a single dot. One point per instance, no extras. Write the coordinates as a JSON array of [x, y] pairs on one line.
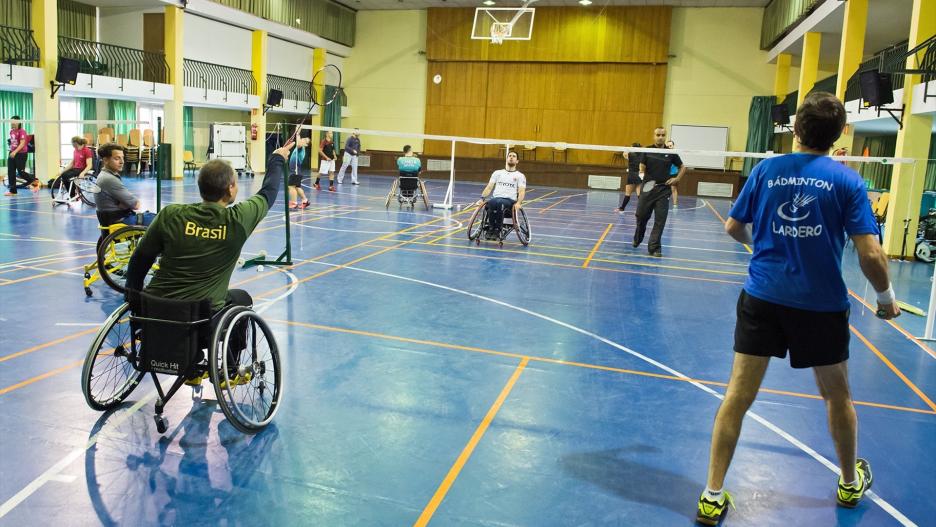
[[245, 368]]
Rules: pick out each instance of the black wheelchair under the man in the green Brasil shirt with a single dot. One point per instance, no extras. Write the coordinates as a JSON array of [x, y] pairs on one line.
[[155, 335]]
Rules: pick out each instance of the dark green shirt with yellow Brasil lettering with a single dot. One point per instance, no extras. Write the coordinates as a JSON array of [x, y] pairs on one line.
[[199, 245]]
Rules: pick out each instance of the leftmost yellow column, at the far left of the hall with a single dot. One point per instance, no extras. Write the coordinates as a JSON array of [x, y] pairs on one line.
[[45, 31]]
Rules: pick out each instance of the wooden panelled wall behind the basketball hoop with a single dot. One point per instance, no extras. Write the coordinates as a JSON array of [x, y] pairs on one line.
[[583, 78]]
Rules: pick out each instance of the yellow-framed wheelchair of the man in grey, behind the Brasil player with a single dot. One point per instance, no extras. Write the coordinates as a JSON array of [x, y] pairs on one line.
[[116, 245]]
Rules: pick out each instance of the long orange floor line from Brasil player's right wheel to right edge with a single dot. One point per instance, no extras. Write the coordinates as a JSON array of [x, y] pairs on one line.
[[446, 345]]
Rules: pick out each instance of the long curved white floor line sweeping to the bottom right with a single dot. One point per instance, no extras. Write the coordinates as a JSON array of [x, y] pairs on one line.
[[890, 509]]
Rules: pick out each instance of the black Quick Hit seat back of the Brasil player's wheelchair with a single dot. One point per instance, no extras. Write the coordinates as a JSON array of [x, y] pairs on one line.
[[173, 332]]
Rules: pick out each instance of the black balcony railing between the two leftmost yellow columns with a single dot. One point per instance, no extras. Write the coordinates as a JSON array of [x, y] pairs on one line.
[[109, 60]]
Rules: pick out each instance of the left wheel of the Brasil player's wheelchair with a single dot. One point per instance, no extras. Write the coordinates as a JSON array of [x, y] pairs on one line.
[[109, 375]]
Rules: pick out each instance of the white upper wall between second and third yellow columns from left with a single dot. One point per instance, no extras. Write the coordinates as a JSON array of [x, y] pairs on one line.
[[210, 41]]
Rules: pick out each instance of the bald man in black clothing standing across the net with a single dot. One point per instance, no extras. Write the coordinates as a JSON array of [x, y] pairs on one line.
[[656, 168]]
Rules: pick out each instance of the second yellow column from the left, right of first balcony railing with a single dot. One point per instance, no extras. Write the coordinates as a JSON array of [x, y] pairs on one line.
[[175, 135]]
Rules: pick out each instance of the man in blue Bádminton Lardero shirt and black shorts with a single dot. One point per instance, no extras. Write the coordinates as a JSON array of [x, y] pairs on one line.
[[796, 211]]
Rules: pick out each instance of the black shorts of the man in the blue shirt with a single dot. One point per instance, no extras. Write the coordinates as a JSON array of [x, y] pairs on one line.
[[814, 338]]
